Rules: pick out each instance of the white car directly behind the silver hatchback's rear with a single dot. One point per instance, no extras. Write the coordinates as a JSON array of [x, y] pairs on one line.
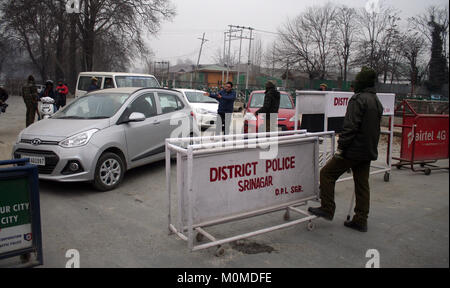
[[204, 107]]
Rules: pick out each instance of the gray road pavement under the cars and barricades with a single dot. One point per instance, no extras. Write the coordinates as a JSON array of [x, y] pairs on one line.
[[408, 224]]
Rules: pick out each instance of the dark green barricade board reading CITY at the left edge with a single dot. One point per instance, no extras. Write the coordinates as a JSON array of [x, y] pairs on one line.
[[20, 220]]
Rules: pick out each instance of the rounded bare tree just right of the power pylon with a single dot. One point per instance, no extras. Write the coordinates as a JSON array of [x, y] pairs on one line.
[[306, 40]]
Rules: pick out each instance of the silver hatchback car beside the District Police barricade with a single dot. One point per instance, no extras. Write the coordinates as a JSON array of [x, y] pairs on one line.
[[105, 133]]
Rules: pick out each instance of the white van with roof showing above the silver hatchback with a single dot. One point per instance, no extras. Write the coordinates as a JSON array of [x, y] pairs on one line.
[[108, 80]]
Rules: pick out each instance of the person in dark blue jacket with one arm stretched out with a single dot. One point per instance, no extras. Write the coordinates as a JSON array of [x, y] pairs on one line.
[[226, 100]]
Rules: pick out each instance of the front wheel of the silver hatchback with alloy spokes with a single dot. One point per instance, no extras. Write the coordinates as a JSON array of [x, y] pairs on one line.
[[109, 172]]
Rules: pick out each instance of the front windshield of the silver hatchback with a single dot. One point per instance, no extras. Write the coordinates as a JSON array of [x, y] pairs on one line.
[[93, 106]]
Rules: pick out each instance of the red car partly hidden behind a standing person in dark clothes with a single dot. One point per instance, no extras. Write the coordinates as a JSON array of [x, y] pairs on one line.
[[286, 114]]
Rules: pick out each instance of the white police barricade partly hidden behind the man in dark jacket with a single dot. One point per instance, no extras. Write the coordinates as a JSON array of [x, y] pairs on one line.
[[332, 107]]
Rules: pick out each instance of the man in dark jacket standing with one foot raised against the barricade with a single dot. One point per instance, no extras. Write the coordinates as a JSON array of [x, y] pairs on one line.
[[358, 146]]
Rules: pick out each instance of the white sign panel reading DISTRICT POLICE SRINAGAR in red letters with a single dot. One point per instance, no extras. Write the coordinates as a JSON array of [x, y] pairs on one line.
[[231, 183]]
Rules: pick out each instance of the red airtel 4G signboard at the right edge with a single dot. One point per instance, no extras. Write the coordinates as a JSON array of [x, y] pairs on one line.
[[430, 135]]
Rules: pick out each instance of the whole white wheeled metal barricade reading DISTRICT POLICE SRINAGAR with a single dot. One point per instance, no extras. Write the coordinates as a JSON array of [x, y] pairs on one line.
[[228, 178]]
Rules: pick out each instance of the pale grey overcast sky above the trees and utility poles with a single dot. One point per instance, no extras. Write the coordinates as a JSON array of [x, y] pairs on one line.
[[178, 39]]
